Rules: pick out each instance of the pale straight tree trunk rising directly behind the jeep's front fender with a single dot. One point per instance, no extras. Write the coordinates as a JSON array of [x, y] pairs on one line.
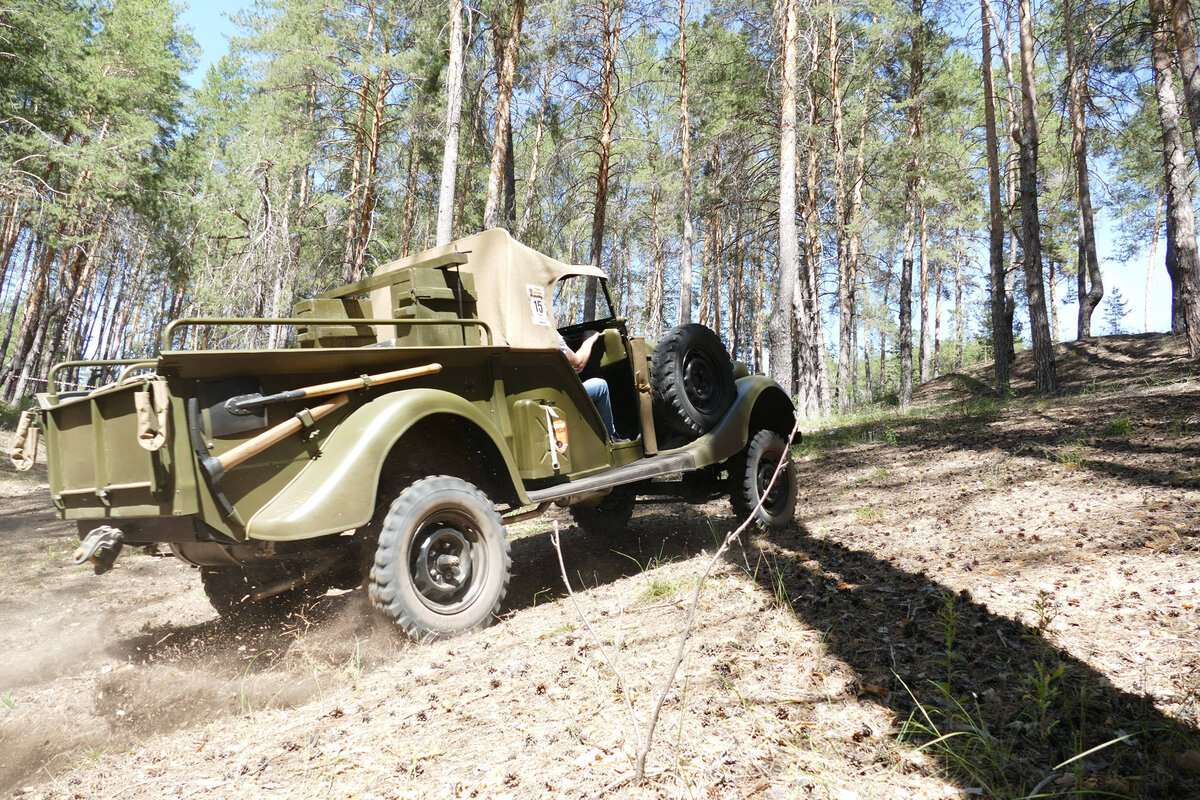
[[782, 328]]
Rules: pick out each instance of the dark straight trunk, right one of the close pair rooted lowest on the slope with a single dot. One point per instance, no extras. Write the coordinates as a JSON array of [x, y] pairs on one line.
[[1031, 230]]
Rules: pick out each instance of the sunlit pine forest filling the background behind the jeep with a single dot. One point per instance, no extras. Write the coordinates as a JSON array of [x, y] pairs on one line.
[[857, 196]]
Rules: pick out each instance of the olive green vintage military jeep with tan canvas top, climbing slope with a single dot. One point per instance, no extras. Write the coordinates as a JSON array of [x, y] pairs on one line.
[[410, 419]]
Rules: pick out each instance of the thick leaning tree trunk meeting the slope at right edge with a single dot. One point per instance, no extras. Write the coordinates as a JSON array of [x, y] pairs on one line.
[[1181, 231]]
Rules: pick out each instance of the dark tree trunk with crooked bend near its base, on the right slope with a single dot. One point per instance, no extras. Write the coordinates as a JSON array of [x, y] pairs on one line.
[[1091, 282]]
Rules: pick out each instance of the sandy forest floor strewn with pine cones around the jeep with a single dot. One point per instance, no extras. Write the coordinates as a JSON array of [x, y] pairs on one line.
[[974, 594]]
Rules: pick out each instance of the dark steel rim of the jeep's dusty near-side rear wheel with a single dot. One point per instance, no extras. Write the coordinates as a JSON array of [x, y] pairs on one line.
[[448, 562]]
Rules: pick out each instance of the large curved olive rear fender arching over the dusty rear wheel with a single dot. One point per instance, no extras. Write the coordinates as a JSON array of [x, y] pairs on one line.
[[337, 491]]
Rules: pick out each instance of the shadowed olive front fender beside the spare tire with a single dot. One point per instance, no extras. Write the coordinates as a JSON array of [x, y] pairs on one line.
[[761, 404]]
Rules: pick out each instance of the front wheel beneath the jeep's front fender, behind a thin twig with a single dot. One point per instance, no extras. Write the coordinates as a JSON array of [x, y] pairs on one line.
[[752, 471]]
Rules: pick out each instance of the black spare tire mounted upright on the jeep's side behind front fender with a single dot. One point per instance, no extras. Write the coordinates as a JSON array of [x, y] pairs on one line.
[[693, 380]]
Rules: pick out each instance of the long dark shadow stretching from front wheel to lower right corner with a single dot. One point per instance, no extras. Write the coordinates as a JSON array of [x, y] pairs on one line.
[[992, 699]]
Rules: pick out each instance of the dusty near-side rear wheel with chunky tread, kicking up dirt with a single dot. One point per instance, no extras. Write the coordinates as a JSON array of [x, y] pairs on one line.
[[442, 564]]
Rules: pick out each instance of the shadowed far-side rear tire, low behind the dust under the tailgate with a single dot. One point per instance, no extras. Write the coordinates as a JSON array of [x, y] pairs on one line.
[[231, 592]]
